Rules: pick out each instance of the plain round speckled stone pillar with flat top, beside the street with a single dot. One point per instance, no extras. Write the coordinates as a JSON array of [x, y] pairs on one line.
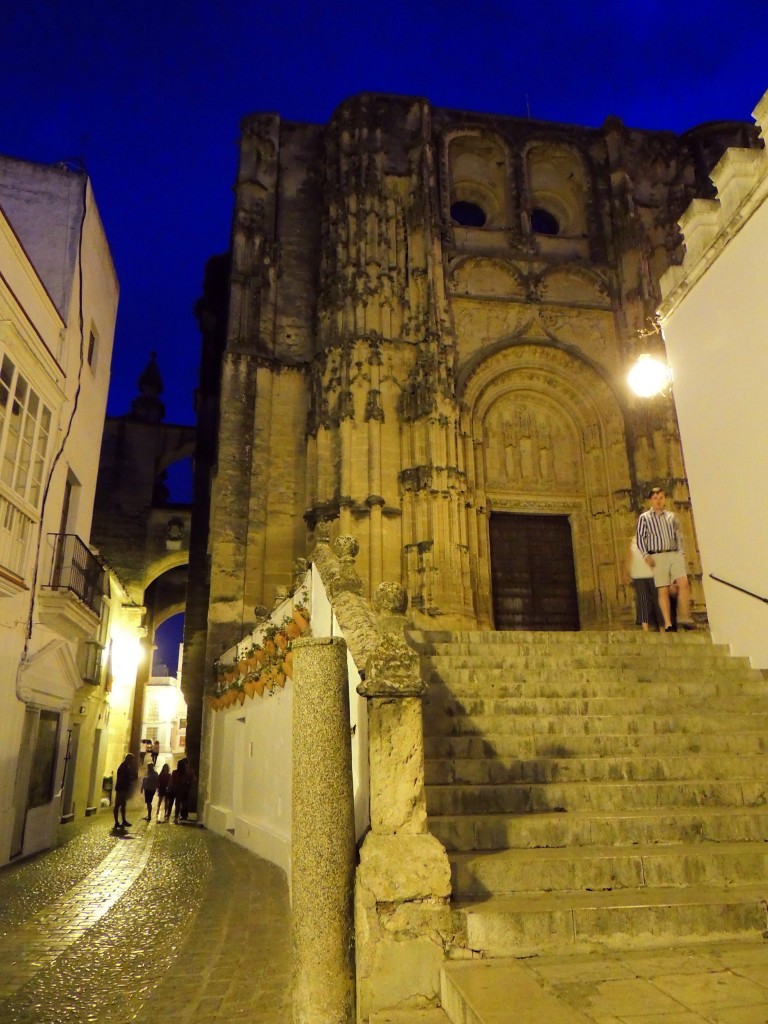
[[323, 856]]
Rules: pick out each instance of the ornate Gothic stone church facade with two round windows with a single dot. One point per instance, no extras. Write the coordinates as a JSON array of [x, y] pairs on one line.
[[432, 317]]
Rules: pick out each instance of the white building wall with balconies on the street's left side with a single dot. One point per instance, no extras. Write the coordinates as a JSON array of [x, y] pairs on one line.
[[40, 332]]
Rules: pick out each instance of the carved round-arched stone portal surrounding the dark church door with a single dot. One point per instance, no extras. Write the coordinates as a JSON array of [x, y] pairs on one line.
[[546, 437]]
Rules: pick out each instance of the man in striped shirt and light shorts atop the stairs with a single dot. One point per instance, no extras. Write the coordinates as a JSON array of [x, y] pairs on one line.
[[662, 547]]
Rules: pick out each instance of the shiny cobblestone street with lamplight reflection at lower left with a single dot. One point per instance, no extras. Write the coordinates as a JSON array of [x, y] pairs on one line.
[[160, 922]]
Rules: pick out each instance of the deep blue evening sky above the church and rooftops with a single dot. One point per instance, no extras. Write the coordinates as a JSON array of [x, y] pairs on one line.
[[151, 95]]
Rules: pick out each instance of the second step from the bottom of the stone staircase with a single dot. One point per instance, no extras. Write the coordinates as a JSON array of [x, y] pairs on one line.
[[595, 869]]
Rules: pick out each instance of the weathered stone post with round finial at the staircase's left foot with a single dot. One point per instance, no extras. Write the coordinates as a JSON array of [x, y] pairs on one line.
[[403, 918]]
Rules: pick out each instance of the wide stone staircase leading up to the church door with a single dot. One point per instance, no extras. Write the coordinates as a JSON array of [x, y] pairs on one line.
[[596, 791]]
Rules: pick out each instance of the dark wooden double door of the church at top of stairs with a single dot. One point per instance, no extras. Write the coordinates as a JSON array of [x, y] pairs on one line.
[[532, 570]]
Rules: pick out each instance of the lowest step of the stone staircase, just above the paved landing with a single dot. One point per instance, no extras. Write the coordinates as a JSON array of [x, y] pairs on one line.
[[625, 919]]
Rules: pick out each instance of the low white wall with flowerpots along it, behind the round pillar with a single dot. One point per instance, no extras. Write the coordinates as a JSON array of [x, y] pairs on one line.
[[251, 755]]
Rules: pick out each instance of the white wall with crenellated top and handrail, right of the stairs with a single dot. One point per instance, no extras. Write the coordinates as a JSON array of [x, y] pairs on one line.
[[715, 324]]
